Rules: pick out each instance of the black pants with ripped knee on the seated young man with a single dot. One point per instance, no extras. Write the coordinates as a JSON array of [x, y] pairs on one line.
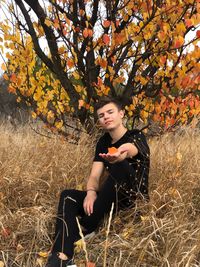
[[115, 189]]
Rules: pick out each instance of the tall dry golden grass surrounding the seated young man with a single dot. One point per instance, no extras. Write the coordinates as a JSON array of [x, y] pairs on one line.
[[165, 232]]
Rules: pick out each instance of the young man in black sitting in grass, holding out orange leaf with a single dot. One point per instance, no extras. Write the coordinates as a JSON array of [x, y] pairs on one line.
[[128, 169]]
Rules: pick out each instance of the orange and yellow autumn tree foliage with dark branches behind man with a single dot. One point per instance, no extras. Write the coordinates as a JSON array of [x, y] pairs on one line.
[[63, 54]]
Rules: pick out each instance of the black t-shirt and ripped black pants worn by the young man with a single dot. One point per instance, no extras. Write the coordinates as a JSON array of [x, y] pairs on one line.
[[126, 179]]
